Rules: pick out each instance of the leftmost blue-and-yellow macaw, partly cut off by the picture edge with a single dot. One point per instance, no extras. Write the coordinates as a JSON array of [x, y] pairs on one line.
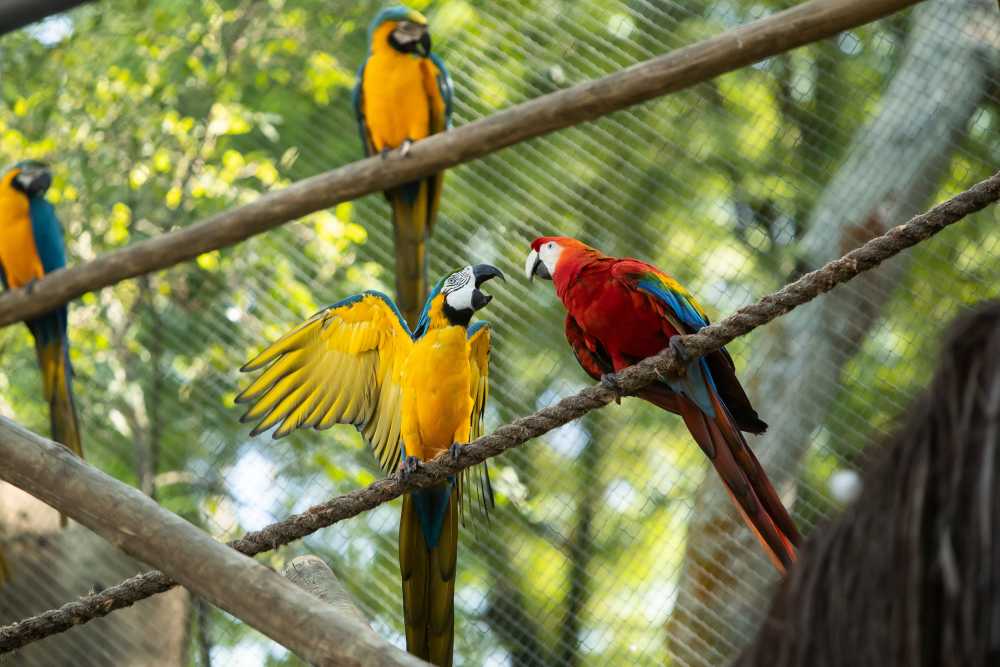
[[31, 245]]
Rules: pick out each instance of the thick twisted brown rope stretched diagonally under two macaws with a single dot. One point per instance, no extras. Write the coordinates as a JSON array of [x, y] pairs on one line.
[[630, 380]]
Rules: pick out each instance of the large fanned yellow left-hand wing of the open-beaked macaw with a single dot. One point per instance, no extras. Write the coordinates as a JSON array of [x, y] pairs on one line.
[[342, 366]]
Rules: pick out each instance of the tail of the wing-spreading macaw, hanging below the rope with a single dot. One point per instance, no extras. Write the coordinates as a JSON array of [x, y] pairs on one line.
[[428, 551]]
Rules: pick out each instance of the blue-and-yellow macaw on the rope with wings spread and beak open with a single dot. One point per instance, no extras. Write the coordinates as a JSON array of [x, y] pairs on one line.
[[412, 395]]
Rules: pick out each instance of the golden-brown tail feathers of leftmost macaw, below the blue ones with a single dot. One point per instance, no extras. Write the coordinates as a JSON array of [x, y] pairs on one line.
[[53, 359]]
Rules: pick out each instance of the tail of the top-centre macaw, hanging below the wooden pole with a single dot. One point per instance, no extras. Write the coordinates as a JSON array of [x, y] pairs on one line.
[[414, 207]]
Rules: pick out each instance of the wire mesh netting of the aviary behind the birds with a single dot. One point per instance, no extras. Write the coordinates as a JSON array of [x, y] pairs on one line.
[[610, 544]]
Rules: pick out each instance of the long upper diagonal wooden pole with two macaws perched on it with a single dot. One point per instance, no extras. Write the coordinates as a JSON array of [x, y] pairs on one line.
[[677, 70]]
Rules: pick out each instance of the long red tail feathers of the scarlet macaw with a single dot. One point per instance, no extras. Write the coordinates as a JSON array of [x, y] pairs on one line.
[[740, 471]]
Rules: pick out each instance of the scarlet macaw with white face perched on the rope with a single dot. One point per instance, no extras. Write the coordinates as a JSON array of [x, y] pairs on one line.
[[620, 311]]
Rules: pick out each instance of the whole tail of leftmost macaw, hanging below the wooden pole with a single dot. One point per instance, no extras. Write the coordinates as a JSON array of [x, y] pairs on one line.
[[52, 348]]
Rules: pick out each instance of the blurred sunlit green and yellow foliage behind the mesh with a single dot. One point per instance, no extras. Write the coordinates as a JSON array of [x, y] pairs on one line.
[[158, 114]]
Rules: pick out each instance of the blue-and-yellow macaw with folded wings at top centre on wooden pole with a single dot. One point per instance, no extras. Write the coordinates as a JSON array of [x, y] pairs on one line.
[[404, 94]]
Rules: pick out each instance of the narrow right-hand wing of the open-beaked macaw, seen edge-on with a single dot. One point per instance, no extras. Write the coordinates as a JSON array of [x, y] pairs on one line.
[[474, 483]]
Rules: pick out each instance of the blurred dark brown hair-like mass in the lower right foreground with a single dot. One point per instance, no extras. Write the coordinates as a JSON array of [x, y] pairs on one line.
[[910, 573]]
